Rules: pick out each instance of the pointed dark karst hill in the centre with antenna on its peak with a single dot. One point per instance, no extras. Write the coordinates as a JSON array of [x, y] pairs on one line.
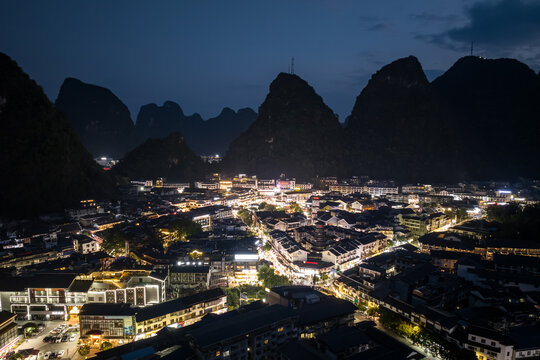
[[295, 133]]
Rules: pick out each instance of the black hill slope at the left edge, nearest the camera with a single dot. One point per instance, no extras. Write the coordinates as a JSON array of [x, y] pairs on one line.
[[45, 166]]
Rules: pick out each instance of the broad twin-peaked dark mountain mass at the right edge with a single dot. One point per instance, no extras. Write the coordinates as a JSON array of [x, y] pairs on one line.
[[477, 121]]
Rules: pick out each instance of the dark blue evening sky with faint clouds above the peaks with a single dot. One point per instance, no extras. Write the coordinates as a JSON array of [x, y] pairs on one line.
[[209, 54]]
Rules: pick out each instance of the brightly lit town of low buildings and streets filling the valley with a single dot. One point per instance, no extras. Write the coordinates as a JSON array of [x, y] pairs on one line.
[[250, 268]]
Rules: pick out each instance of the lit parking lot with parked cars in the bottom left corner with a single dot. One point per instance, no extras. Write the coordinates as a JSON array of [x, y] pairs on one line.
[[57, 329]]
